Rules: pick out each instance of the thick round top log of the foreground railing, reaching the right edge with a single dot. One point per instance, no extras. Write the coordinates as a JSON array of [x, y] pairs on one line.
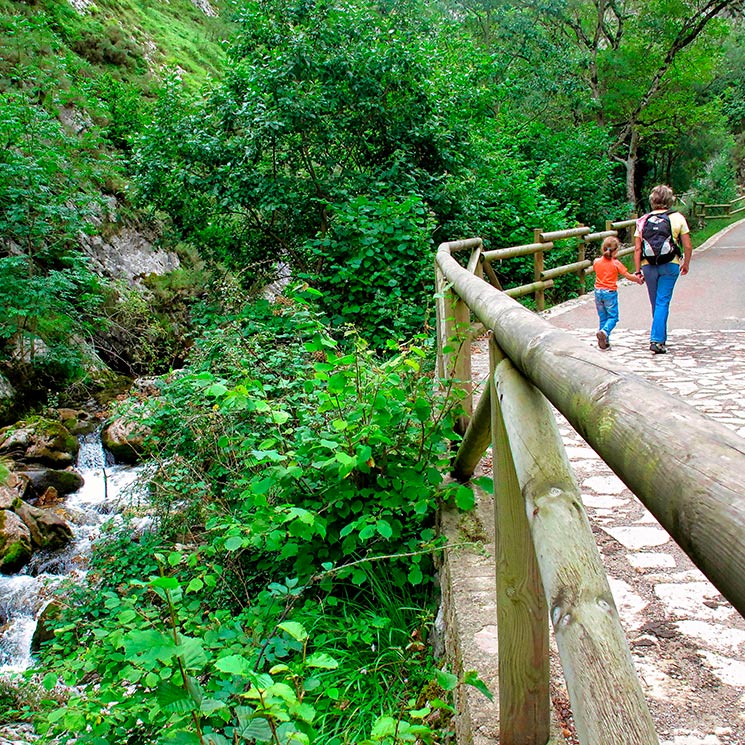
[[685, 467]]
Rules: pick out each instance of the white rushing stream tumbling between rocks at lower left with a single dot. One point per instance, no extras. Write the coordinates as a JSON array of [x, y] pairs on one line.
[[107, 491]]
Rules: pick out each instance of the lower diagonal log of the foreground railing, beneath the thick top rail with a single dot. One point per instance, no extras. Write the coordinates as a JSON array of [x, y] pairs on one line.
[[607, 700]]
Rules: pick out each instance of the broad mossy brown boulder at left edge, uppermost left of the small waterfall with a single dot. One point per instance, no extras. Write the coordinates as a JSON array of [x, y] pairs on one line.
[[39, 441]]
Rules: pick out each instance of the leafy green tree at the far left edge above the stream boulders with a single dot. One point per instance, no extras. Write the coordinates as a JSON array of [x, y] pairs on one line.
[[47, 293]]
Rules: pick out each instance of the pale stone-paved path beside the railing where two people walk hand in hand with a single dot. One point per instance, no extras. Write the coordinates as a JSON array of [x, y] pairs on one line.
[[687, 641]]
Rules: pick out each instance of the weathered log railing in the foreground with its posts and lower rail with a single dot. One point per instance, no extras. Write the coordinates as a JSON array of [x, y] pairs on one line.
[[687, 470]]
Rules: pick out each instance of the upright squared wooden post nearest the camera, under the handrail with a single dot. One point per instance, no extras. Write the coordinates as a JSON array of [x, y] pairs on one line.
[[522, 613]]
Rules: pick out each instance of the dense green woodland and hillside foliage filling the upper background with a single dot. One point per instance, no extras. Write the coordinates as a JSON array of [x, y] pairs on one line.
[[341, 144]]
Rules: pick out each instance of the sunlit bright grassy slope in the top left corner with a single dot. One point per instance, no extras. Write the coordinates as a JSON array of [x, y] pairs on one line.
[[133, 40]]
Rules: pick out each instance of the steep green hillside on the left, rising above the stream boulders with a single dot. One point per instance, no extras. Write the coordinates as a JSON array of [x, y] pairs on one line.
[[76, 88]]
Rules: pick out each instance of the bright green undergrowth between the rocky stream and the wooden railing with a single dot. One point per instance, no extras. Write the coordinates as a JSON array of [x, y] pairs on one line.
[[301, 486]]
